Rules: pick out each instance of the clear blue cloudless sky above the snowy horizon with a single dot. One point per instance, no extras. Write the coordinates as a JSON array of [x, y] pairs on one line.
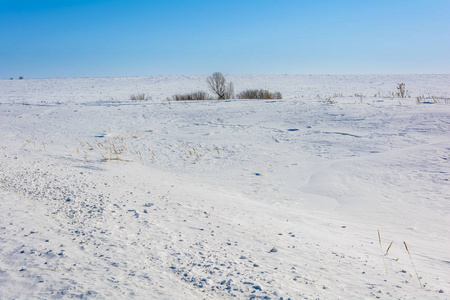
[[67, 38]]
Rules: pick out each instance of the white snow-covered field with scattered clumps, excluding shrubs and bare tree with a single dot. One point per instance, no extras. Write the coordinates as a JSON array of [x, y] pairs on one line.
[[104, 197]]
